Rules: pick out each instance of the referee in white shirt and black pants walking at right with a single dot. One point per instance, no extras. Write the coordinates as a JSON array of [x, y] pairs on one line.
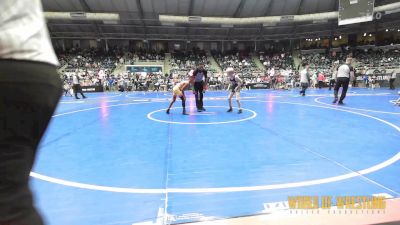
[[344, 74]]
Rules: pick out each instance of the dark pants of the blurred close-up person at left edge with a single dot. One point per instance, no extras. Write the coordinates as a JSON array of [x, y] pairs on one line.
[[29, 93]]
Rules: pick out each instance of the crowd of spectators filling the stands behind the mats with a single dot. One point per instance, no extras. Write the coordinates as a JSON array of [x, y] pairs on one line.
[[95, 67]]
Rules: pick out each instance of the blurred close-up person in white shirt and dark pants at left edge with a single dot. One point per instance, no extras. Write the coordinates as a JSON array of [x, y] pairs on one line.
[[30, 89]]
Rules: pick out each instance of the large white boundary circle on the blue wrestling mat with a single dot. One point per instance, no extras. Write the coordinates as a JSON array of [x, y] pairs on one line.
[[369, 170]]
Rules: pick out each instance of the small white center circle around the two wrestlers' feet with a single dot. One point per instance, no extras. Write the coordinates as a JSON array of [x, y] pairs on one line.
[[254, 115]]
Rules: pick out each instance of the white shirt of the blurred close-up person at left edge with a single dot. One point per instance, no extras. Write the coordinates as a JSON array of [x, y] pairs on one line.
[[23, 32]]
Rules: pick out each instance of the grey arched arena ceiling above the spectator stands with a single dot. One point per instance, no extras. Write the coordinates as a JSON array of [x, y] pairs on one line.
[[139, 19]]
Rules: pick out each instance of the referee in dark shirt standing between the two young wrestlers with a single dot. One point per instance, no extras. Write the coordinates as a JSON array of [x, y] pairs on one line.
[[200, 82]]
